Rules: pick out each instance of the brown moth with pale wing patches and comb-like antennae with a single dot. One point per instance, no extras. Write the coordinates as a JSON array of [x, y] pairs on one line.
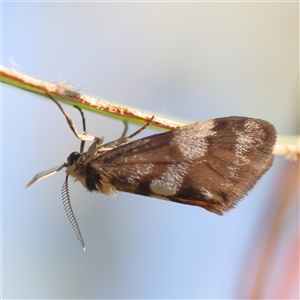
[[212, 164]]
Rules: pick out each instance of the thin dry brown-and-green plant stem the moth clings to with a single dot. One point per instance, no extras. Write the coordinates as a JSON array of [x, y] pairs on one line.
[[63, 94]]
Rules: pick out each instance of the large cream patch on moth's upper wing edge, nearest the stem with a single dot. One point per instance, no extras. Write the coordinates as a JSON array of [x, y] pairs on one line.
[[191, 140]]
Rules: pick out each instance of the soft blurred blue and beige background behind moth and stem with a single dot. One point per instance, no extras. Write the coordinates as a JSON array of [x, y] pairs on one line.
[[190, 61]]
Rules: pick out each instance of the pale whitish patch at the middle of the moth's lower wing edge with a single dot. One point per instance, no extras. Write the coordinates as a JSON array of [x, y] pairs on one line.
[[169, 183]]
